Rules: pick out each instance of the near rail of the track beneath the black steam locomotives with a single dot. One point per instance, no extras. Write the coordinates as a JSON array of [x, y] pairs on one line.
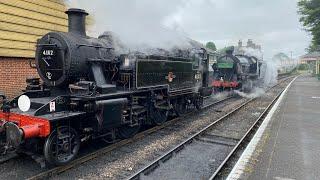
[[102, 151]]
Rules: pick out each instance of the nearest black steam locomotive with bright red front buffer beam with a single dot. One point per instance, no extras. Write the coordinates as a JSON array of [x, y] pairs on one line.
[[87, 91]]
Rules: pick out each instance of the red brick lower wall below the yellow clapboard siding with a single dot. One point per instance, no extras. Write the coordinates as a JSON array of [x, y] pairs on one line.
[[13, 74]]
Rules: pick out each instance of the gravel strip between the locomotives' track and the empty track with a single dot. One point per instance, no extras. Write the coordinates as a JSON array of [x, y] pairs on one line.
[[124, 161]]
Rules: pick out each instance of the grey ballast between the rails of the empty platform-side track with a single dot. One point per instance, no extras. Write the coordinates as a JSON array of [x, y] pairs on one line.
[[200, 159]]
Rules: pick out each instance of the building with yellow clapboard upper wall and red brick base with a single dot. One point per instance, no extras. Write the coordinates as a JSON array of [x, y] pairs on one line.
[[22, 22]]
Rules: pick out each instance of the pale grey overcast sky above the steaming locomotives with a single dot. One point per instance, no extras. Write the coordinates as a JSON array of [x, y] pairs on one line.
[[272, 23]]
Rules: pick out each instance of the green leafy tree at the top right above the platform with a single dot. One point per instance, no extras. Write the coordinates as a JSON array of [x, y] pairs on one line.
[[310, 18]]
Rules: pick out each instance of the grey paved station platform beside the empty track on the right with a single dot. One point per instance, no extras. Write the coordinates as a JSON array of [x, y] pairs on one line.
[[289, 147]]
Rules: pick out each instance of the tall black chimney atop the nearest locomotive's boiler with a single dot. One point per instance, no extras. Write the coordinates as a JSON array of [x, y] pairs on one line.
[[77, 20]]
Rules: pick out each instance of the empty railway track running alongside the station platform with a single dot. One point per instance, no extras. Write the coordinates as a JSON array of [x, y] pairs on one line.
[[176, 163]]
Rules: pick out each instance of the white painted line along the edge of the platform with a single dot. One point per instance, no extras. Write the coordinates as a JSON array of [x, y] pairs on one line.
[[239, 167]]
